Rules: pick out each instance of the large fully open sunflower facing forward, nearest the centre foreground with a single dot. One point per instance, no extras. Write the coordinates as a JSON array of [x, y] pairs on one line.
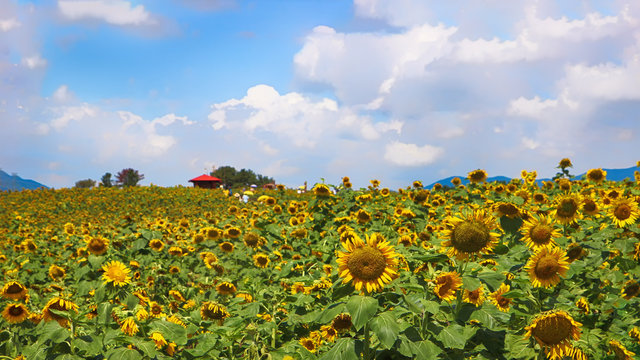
[[369, 264]]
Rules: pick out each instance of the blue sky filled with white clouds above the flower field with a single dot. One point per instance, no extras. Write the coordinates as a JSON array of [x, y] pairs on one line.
[[314, 90]]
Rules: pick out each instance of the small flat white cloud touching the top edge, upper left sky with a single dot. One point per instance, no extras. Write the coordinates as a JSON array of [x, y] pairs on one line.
[[115, 12]]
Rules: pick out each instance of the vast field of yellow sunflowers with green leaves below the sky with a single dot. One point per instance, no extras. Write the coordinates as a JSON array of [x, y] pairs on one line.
[[518, 270]]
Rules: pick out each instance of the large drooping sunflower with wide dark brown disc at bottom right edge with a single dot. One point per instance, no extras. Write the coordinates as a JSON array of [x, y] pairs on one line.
[[554, 330]]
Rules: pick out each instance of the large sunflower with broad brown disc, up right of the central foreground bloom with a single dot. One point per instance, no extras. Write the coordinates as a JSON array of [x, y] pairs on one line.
[[469, 235]]
